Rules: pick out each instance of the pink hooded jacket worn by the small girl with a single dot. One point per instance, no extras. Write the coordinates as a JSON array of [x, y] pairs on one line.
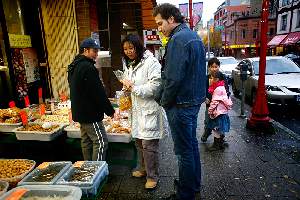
[[220, 103]]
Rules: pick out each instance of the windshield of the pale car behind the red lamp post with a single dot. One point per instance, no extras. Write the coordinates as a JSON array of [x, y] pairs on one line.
[[275, 66]]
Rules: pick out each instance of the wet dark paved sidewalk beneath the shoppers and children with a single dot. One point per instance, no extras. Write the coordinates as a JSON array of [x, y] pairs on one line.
[[252, 167]]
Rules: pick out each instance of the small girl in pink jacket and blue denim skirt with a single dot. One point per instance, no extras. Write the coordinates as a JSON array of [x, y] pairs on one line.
[[218, 112]]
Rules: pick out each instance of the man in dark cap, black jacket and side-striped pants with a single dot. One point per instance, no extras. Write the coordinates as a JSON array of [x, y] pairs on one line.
[[89, 101]]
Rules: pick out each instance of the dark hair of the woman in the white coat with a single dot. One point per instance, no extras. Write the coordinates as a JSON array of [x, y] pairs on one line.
[[135, 40]]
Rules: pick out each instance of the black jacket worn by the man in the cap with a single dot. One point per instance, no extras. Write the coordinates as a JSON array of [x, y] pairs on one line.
[[88, 99]]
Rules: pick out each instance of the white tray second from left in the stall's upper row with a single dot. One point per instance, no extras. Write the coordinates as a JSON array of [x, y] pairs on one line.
[[38, 135]]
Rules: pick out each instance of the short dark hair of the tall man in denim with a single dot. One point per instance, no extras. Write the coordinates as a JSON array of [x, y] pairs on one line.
[[167, 10]]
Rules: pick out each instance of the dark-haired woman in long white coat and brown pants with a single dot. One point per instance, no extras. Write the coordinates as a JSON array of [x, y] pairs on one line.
[[142, 74]]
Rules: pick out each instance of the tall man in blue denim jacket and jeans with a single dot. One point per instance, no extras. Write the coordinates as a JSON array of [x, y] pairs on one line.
[[181, 94]]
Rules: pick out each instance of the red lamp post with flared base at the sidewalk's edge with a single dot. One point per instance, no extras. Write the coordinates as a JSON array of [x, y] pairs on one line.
[[259, 119]]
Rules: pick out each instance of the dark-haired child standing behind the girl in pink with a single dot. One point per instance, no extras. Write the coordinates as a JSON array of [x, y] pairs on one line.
[[213, 71]]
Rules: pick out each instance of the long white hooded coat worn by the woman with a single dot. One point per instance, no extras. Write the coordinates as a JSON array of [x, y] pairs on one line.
[[148, 119]]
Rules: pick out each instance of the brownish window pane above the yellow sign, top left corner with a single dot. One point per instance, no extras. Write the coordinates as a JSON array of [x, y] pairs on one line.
[[14, 16]]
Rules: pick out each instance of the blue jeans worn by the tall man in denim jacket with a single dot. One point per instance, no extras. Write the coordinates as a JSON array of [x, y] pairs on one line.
[[183, 124]]
